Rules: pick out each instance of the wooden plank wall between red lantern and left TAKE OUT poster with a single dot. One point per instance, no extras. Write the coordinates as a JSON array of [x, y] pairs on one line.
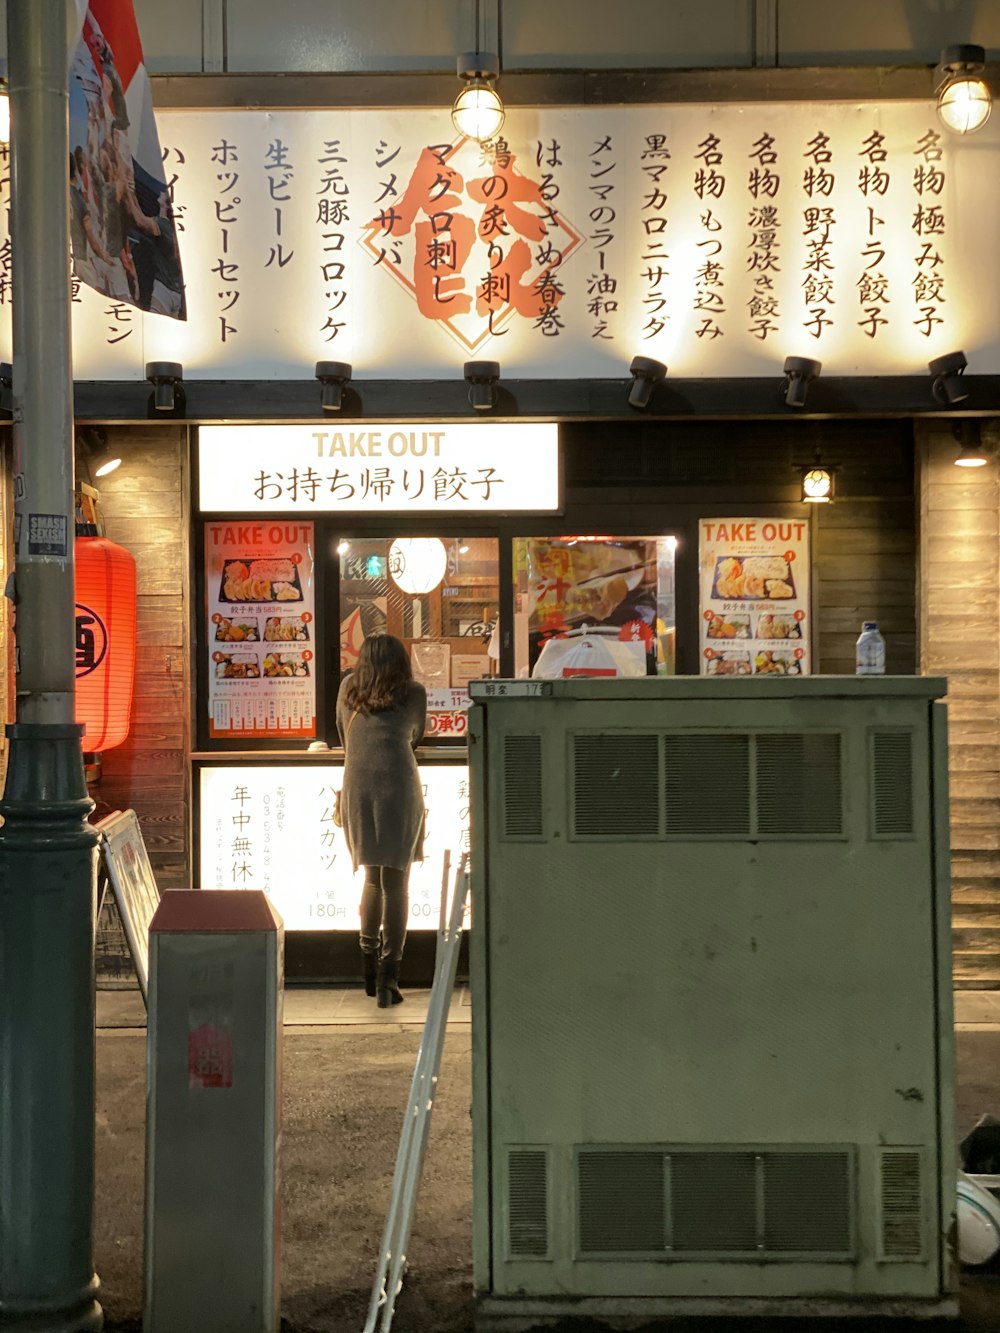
[[146, 510]]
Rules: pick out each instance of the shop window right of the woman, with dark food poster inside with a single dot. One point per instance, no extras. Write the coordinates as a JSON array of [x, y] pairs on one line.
[[595, 606]]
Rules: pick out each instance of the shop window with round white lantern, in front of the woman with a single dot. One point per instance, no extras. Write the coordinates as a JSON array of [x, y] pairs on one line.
[[438, 595]]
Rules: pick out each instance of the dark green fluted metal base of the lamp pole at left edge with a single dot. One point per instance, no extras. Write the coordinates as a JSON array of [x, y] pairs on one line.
[[49, 860]]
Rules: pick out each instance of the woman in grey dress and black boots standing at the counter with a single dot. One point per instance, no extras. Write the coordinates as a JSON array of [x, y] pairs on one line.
[[382, 716]]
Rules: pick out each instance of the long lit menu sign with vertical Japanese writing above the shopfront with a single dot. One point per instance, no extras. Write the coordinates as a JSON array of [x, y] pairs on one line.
[[717, 239]]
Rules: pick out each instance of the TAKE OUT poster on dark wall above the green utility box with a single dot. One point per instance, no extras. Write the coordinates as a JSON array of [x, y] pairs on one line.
[[754, 597]]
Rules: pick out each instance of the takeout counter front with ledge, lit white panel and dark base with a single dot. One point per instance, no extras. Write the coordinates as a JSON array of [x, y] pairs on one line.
[[265, 820]]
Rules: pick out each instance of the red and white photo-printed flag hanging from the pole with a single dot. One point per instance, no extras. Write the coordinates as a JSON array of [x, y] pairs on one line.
[[121, 214]]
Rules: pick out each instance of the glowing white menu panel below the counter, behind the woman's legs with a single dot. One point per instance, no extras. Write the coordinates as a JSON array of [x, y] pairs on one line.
[[273, 828]]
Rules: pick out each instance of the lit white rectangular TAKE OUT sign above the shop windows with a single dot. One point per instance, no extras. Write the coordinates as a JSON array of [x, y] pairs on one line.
[[379, 469]]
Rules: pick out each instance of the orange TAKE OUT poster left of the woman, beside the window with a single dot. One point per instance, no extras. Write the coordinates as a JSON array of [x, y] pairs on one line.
[[261, 638]]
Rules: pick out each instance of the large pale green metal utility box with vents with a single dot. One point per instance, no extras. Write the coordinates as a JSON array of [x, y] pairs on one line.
[[711, 999]]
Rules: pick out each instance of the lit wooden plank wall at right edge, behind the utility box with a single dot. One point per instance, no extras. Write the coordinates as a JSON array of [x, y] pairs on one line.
[[959, 617]]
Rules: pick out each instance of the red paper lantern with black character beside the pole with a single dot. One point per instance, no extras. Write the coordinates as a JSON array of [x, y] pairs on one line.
[[106, 642]]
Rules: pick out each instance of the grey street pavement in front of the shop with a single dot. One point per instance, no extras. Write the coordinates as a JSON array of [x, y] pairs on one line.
[[347, 1071]]
